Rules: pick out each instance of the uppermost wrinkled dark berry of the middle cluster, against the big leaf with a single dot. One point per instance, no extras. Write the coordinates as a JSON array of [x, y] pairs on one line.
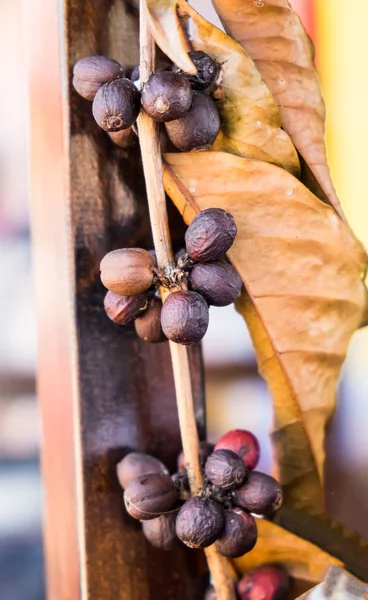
[[210, 235]]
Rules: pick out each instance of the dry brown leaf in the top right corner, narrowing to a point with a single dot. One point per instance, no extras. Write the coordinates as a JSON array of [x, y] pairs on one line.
[[272, 33]]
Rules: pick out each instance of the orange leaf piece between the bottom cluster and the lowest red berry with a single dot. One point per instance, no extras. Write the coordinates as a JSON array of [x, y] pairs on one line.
[[302, 559]]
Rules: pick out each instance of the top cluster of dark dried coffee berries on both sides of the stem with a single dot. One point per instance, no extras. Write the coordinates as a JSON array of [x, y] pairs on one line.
[[170, 96]]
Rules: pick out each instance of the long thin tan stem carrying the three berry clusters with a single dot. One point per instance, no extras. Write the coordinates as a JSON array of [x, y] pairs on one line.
[[152, 166]]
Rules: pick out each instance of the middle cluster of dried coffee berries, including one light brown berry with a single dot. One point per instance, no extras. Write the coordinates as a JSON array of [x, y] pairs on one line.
[[201, 272]]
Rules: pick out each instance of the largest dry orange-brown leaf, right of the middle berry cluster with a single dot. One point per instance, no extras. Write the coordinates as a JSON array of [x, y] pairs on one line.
[[301, 267]]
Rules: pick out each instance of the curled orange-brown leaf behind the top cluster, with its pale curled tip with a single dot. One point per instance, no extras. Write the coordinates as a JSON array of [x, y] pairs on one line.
[[251, 123]]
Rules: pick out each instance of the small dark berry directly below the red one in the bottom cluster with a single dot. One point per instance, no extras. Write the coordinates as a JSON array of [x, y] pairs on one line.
[[225, 469]]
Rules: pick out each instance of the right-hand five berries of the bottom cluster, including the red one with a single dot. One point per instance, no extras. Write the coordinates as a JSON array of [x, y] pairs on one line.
[[222, 513]]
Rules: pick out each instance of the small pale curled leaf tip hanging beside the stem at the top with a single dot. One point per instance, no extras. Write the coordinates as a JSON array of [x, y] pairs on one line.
[[168, 32]]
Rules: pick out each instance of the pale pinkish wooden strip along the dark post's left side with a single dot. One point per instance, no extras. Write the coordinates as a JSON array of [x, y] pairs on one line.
[[53, 285]]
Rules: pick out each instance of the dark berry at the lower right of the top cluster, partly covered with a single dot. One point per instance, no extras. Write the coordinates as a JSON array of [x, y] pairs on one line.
[[198, 127]]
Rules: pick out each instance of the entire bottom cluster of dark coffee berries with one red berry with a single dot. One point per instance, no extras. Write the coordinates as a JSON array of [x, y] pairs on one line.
[[221, 513]]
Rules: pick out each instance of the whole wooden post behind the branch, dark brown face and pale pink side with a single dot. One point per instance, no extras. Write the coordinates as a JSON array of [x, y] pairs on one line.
[[102, 391]]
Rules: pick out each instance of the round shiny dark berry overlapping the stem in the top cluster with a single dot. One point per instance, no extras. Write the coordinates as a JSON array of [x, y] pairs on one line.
[[166, 96]]
